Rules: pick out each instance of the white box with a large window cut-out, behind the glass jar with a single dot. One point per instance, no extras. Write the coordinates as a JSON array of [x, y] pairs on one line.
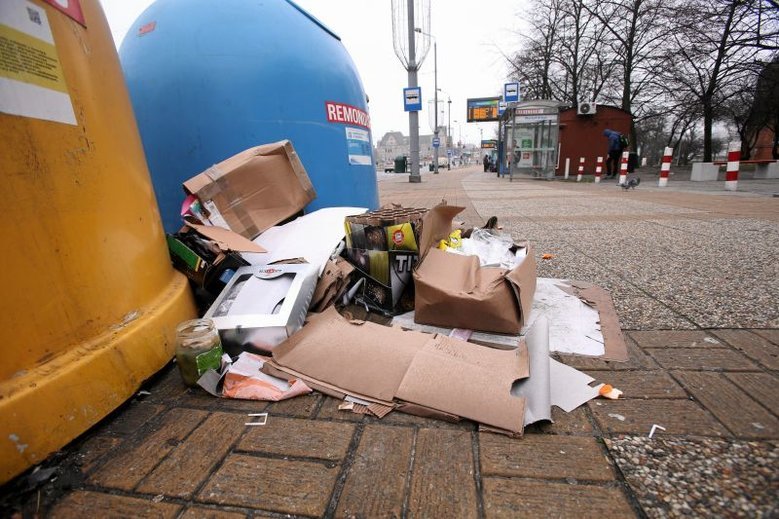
[[262, 306]]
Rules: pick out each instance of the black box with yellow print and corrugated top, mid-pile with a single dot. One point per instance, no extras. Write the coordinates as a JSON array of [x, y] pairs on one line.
[[383, 246]]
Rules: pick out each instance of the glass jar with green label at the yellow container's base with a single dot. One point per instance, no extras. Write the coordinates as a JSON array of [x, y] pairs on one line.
[[198, 349]]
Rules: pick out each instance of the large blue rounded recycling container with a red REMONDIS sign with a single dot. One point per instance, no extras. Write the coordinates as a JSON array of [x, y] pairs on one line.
[[209, 79]]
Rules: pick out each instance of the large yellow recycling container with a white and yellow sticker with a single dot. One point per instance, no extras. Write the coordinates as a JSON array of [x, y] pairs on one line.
[[89, 301]]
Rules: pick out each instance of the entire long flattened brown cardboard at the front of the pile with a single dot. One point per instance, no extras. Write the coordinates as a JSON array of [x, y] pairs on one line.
[[389, 365]]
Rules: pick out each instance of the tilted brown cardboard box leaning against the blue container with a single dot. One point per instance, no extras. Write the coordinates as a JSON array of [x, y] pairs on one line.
[[253, 190]]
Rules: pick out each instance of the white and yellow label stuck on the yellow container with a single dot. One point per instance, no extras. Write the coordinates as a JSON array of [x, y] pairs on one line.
[[31, 80]]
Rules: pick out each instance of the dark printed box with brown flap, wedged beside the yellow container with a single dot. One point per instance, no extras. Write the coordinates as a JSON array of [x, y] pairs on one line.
[[209, 255]]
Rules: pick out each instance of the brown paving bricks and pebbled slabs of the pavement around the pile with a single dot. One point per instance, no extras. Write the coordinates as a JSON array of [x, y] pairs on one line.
[[695, 282]]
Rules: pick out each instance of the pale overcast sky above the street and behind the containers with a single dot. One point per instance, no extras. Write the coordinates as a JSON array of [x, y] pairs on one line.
[[471, 38]]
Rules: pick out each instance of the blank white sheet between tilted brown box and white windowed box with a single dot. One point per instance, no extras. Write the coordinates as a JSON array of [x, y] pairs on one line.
[[314, 237]]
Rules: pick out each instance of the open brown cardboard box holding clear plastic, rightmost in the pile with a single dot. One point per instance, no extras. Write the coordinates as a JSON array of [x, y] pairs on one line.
[[455, 291]]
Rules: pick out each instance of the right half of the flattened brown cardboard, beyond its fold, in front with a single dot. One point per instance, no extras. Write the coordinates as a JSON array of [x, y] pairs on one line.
[[478, 388]]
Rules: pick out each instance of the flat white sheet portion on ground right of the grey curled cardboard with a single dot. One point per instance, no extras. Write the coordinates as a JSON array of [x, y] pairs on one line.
[[574, 327]]
